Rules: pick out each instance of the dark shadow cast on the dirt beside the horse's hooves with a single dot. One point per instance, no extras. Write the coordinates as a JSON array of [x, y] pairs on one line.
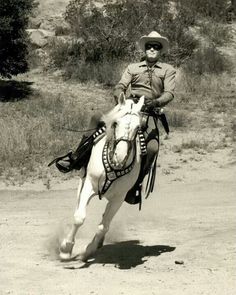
[[127, 254]]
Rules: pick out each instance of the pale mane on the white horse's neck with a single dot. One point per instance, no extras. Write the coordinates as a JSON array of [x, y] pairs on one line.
[[116, 113]]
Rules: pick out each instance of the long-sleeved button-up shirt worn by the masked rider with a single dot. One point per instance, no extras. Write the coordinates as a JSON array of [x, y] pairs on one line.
[[151, 82]]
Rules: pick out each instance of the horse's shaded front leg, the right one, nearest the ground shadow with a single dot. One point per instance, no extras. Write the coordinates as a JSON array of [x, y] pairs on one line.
[[97, 242]]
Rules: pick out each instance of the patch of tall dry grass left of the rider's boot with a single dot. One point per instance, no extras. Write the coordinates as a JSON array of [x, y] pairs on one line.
[[33, 131]]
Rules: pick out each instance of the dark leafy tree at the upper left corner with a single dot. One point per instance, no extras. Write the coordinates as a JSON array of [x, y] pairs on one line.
[[14, 17]]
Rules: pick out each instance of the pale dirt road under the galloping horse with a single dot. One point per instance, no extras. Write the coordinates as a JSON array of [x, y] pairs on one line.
[[182, 242]]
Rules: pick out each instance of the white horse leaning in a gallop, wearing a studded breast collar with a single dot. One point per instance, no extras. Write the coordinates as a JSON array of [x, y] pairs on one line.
[[111, 180]]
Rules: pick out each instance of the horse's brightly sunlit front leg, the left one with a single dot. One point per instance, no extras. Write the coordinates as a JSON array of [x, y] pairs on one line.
[[84, 197]]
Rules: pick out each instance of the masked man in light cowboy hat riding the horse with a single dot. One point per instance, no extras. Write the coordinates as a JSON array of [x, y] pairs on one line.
[[149, 78]]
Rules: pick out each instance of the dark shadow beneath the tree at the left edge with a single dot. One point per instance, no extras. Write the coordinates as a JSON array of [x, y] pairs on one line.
[[11, 90]]
